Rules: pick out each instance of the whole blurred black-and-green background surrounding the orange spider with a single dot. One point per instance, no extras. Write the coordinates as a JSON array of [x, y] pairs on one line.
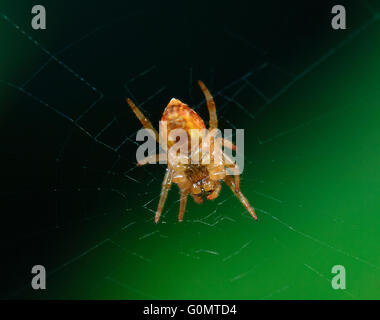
[[72, 199]]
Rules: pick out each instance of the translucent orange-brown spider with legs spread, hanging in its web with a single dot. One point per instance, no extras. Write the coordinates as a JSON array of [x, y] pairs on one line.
[[200, 177]]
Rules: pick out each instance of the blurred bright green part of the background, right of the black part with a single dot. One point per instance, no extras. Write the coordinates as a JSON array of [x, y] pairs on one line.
[[324, 177]]
